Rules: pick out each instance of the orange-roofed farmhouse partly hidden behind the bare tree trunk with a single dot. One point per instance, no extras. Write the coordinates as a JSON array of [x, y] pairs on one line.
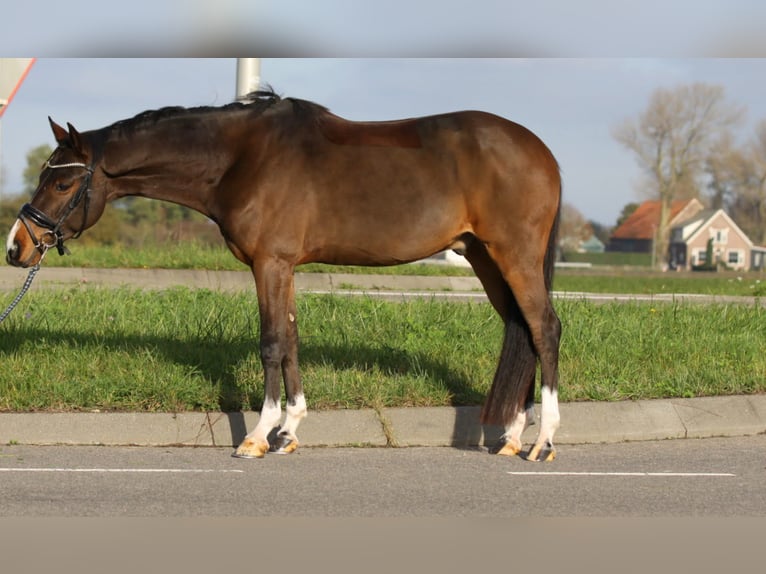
[[637, 233]]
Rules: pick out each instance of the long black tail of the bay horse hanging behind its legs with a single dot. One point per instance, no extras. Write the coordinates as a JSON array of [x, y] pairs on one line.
[[513, 385]]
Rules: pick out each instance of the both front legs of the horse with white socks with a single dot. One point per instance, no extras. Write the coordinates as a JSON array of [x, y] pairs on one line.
[[279, 356]]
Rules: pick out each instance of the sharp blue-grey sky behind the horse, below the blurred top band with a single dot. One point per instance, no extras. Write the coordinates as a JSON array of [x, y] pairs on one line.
[[573, 104]]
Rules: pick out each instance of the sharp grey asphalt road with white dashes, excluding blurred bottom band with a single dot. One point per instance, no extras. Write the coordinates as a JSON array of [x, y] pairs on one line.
[[671, 478]]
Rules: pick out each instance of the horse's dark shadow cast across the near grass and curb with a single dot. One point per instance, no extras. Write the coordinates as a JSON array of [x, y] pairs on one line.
[[219, 361]]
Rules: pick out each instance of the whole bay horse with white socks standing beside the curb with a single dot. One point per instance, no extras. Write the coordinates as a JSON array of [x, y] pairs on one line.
[[288, 182]]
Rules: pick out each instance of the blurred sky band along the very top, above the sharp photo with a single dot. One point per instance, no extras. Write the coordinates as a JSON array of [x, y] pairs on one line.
[[340, 28]]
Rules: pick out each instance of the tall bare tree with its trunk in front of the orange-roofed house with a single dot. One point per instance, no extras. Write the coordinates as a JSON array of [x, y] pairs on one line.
[[672, 139]]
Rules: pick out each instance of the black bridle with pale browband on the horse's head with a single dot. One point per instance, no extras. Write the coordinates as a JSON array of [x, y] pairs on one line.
[[29, 213]]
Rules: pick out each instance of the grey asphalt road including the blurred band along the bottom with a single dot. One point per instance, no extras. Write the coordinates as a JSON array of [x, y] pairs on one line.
[[685, 505]]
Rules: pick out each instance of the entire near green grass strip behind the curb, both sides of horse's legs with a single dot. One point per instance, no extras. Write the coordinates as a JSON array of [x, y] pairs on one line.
[[86, 348]]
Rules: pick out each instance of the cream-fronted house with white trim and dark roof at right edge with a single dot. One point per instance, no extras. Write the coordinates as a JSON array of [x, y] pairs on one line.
[[729, 245]]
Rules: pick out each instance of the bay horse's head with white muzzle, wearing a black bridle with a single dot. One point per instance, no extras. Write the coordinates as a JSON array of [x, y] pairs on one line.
[[63, 204]]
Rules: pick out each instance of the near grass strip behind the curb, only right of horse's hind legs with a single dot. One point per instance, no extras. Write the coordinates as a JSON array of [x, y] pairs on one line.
[[641, 351]]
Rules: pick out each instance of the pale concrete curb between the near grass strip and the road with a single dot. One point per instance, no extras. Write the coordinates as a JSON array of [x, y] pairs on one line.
[[582, 423]]
